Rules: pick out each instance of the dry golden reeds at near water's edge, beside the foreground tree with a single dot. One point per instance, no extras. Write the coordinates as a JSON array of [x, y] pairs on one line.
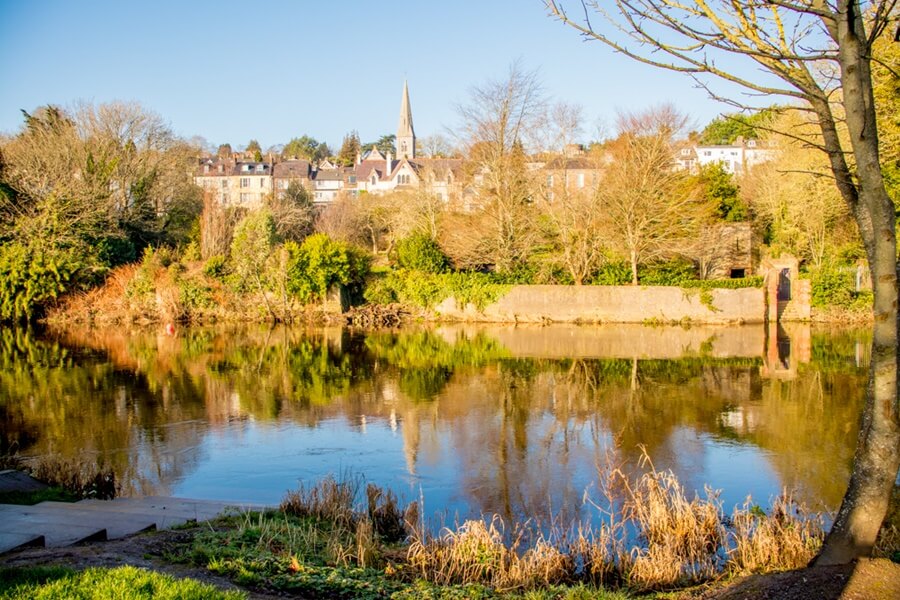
[[652, 536]]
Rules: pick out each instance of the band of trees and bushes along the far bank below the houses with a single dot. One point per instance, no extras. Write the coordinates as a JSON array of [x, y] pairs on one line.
[[130, 238]]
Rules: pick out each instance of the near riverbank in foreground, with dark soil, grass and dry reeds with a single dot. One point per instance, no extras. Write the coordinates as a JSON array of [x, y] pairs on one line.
[[316, 546]]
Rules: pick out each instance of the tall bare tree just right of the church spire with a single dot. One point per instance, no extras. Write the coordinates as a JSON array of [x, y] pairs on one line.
[[498, 121]]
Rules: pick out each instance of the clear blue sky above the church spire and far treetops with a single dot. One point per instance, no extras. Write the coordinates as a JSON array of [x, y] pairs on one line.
[[232, 71]]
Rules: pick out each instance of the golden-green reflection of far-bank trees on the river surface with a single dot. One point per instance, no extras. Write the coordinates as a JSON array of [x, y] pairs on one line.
[[526, 433]]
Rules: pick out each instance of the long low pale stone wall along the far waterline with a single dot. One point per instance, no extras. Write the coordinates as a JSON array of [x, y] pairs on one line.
[[614, 304]]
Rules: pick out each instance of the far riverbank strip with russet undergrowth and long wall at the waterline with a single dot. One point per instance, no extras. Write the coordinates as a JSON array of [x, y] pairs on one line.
[[149, 293]]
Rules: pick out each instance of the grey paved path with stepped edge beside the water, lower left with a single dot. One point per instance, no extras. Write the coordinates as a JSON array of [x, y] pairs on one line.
[[54, 524]]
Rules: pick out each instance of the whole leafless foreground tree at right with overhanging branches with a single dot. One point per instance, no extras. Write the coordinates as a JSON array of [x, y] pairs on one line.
[[818, 54]]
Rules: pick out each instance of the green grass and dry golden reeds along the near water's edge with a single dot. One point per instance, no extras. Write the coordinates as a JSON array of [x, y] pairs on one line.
[[342, 539]]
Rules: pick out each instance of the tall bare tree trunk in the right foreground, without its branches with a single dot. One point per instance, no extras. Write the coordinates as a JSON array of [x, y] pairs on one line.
[[877, 456]]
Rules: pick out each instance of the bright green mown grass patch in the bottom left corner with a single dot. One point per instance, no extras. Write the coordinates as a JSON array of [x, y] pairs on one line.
[[121, 583]]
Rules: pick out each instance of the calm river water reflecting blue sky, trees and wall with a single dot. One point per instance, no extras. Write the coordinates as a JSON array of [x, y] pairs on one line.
[[513, 420]]
